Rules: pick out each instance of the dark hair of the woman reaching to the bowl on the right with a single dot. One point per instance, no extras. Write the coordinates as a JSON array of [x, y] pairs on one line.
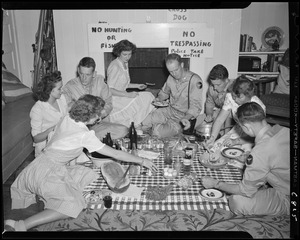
[[243, 85]]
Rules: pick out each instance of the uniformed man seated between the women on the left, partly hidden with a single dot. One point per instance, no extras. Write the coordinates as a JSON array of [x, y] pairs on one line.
[[88, 82]]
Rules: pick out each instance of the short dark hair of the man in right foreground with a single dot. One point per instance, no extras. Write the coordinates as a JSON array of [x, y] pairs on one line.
[[250, 112]]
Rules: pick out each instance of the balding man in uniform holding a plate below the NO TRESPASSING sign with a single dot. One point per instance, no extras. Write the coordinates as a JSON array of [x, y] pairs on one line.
[[183, 89]]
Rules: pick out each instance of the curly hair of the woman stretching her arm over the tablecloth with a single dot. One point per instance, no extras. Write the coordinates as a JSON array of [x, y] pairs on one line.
[[86, 107]]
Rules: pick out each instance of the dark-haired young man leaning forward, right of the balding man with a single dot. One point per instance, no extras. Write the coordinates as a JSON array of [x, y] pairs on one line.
[[219, 85]]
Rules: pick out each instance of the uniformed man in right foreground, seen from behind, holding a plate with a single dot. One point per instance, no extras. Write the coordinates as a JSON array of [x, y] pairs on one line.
[[268, 162]]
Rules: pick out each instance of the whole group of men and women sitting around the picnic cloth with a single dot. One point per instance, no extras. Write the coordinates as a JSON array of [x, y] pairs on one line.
[[66, 119]]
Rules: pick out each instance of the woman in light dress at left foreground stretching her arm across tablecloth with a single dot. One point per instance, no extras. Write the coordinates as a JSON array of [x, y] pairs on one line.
[[49, 176]]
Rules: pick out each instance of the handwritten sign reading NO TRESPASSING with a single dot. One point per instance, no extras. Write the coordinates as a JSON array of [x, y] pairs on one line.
[[192, 42]]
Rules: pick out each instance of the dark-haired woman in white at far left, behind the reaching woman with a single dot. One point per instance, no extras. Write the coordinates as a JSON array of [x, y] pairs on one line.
[[48, 110]]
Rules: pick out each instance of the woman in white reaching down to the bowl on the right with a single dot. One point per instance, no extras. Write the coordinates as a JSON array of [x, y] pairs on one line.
[[243, 91]]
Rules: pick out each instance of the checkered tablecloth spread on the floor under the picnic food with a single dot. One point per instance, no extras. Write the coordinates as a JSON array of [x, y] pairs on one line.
[[178, 199]]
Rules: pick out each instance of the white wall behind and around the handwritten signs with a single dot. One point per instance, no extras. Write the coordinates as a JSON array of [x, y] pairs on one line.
[[72, 39]]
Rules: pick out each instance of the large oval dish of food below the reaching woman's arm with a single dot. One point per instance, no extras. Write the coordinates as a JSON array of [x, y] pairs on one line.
[[112, 172]]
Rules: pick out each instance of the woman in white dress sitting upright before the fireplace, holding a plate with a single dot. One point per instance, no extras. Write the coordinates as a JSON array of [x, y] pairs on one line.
[[127, 106]]
